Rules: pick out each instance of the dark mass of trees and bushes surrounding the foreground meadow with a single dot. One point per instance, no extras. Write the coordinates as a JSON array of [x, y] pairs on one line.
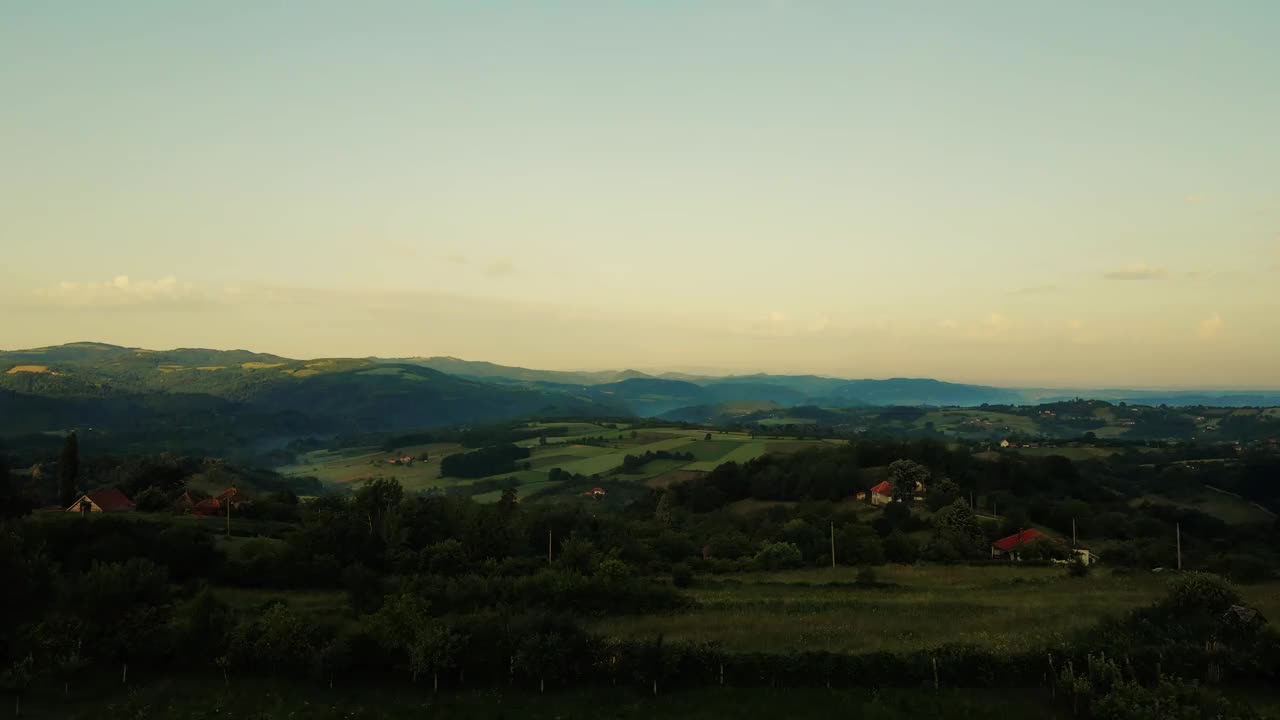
[[420, 596]]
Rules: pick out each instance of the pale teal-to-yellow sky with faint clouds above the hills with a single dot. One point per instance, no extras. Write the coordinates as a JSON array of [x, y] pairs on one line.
[[1017, 193]]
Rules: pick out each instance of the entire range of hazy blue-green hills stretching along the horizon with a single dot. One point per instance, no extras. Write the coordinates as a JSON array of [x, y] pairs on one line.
[[228, 397]]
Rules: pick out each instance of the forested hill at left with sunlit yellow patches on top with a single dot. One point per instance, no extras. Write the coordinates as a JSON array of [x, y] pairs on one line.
[[218, 398]]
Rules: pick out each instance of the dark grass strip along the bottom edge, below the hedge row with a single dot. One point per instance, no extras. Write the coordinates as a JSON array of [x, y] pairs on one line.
[[176, 699]]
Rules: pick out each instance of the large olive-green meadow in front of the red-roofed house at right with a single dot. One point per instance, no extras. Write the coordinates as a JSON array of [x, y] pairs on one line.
[[1003, 608]]
